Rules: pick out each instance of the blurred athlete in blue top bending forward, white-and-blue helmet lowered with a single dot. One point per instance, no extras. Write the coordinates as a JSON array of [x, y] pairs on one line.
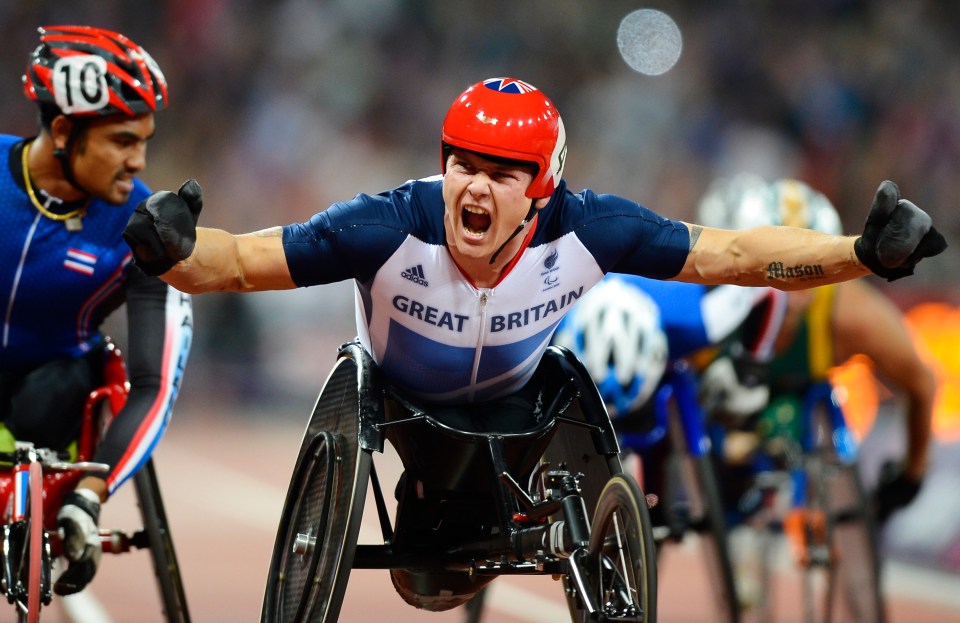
[[629, 329]]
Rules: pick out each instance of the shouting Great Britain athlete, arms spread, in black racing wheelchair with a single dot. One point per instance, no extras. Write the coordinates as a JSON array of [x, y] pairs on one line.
[[456, 307]]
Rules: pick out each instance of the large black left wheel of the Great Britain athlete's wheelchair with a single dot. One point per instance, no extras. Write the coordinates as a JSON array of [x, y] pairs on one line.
[[320, 523]]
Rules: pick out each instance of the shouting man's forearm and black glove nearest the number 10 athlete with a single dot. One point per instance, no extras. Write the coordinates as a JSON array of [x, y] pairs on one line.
[[166, 241]]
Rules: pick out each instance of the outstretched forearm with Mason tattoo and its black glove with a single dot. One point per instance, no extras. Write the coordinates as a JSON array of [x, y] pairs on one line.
[[896, 236]]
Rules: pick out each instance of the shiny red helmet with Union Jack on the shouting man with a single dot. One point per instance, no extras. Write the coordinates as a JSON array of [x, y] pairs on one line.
[[509, 118]]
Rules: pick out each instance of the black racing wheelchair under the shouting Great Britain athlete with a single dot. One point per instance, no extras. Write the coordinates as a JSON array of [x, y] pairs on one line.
[[464, 518]]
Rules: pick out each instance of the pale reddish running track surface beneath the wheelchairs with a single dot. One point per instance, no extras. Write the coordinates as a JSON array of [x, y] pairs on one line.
[[224, 479]]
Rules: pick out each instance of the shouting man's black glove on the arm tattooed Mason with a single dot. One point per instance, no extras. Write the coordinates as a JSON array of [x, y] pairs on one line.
[[897, 235]]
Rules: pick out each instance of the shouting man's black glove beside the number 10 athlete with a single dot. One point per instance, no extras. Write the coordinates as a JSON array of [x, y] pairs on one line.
[[163, 229]]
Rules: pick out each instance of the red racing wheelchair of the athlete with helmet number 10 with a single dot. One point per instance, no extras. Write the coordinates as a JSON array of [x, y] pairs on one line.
[[33, 483]]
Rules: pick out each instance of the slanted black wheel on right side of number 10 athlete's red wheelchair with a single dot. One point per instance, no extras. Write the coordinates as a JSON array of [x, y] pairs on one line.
[[173, 597]]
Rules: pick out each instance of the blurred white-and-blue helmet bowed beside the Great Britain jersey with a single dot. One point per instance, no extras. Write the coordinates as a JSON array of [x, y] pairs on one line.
[[615, 330]]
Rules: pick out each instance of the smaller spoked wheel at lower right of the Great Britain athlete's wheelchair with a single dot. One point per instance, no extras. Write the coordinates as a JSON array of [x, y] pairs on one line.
[[621, 557]]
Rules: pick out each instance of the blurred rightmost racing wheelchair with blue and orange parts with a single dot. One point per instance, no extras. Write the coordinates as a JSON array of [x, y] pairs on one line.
[[809, 492]]
